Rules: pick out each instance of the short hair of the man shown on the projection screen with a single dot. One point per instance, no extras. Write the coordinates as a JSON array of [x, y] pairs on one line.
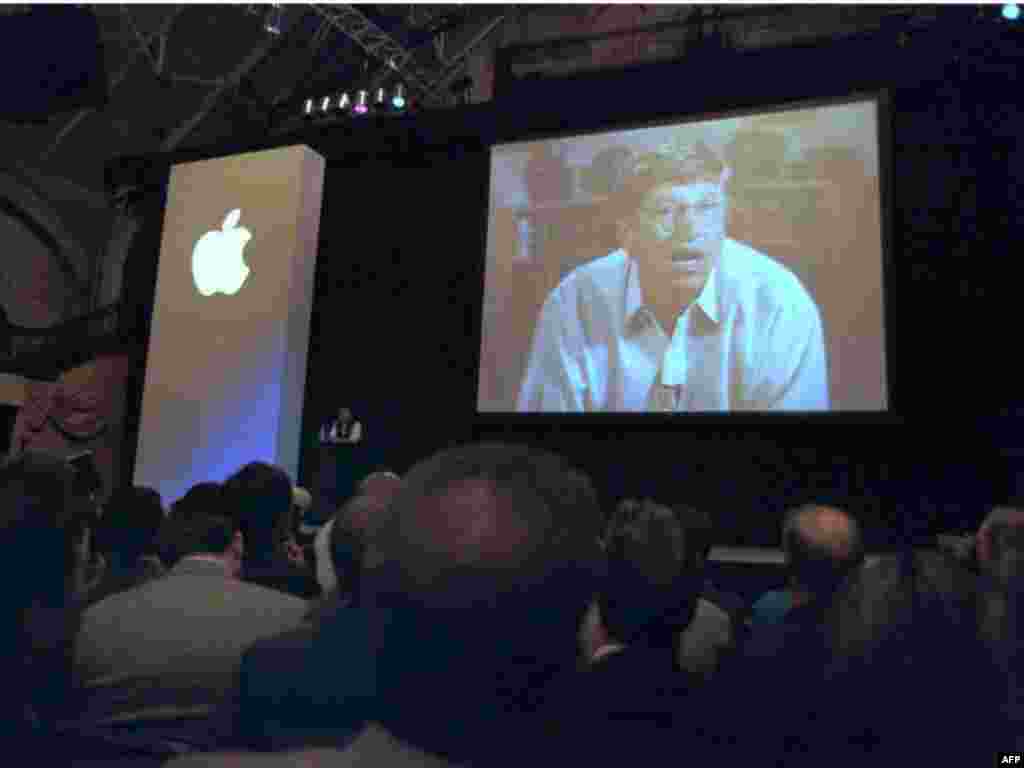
[[678, 162]]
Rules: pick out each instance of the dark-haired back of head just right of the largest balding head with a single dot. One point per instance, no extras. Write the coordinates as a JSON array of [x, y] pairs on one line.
[[654, 574]]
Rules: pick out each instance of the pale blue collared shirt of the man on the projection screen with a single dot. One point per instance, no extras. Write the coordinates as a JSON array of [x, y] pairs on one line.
[[753, 340]]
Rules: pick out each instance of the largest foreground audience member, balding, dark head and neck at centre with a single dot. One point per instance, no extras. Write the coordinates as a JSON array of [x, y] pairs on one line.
[[476, 584]]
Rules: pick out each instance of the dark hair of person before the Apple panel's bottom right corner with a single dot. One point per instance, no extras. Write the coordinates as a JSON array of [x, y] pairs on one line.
[[259, 497]]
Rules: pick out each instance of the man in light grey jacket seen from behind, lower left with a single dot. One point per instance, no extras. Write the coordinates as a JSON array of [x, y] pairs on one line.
[[158, 661]]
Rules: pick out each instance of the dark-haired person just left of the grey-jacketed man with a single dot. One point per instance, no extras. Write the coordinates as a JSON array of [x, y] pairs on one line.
[[126, 537]]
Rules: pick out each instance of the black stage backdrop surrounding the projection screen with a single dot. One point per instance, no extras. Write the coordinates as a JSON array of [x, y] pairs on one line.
[[397, 316]]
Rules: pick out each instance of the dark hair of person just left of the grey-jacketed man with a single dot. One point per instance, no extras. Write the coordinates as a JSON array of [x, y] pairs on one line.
[[133, 519]]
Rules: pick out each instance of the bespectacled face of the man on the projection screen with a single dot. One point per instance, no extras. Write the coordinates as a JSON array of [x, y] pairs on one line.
[[677, 234]]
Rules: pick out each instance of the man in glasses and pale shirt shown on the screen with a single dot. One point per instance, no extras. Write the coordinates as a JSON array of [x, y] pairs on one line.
[[680, 318]]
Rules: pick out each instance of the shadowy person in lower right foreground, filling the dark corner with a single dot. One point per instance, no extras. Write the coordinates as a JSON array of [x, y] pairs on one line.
[[895, 667]]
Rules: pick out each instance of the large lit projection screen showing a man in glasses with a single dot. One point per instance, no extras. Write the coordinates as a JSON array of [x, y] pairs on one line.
[[718, 266]]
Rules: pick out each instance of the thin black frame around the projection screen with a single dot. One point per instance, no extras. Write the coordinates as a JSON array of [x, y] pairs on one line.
[[890, 416]]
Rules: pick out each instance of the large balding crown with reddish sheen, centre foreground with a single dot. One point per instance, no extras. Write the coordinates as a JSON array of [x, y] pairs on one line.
[[490, 517]]
